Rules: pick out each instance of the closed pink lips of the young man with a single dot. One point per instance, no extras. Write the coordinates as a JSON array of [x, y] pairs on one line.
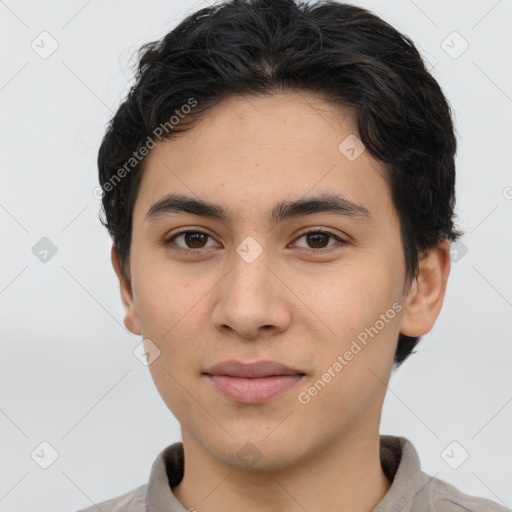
[[253, 383]]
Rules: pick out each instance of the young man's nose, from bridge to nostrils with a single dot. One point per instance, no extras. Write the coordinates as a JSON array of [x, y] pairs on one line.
[[252, 300]]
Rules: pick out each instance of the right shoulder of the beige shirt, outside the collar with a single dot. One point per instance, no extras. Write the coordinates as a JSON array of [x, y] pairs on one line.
[[445, 497]]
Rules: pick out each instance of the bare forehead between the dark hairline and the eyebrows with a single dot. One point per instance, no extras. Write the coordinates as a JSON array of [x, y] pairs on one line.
[[253, 150]]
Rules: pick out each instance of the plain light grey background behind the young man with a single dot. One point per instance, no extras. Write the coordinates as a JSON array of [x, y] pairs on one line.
[[67, 372]]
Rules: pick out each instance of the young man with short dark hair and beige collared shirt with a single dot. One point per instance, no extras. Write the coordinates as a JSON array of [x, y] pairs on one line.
[[279, 187]]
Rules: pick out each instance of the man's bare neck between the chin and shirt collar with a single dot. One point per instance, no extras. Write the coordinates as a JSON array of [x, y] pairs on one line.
[[342, 478]]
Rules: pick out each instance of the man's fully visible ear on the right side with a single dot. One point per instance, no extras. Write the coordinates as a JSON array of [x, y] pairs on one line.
[[426, 295]]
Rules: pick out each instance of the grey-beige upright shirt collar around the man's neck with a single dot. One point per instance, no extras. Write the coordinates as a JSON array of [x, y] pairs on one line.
[[399, 460]]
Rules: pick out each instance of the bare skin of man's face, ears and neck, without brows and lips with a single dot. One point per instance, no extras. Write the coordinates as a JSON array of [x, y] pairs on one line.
[[290, 305]]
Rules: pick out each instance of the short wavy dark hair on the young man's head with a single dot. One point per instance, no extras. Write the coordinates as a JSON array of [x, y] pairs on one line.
[[344, 53]]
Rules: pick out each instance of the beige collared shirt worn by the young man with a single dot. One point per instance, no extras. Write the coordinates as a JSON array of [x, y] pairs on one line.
[[411, 490]]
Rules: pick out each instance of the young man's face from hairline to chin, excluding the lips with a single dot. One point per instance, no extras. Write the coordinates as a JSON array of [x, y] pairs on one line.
[[255, 286]]
